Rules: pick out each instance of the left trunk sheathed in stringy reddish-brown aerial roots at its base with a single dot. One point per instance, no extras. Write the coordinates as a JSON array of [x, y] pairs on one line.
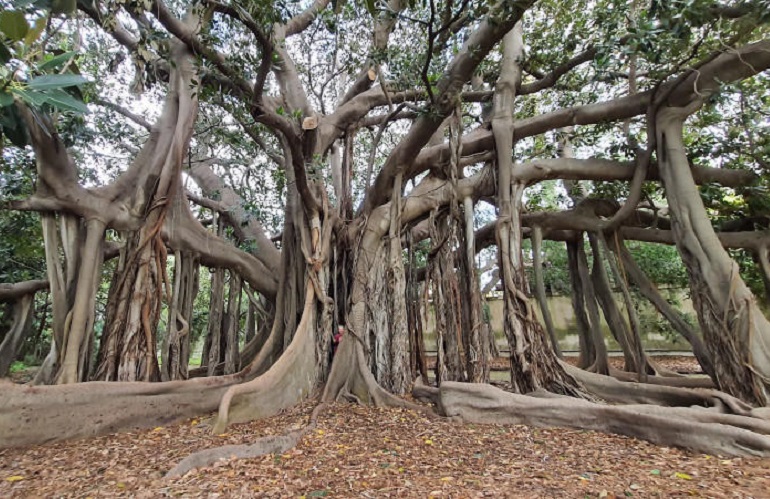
[[129, 342]]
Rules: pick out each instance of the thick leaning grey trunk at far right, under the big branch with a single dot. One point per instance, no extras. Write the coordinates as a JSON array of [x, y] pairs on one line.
[[735, 330]]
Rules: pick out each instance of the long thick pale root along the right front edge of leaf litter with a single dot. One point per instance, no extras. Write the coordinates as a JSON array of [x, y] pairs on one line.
[[694, 429]]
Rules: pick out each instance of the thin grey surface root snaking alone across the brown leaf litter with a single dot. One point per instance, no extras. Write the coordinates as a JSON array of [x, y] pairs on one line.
[[274, 444]]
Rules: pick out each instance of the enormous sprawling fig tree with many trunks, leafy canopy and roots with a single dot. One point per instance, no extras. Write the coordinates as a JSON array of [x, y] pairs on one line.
[[372, 163]]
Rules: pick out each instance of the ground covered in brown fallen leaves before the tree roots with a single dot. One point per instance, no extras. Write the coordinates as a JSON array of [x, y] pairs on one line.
[[367, 452]]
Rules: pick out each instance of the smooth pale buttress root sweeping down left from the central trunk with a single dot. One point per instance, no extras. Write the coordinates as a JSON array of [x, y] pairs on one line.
[[285, 384]]
